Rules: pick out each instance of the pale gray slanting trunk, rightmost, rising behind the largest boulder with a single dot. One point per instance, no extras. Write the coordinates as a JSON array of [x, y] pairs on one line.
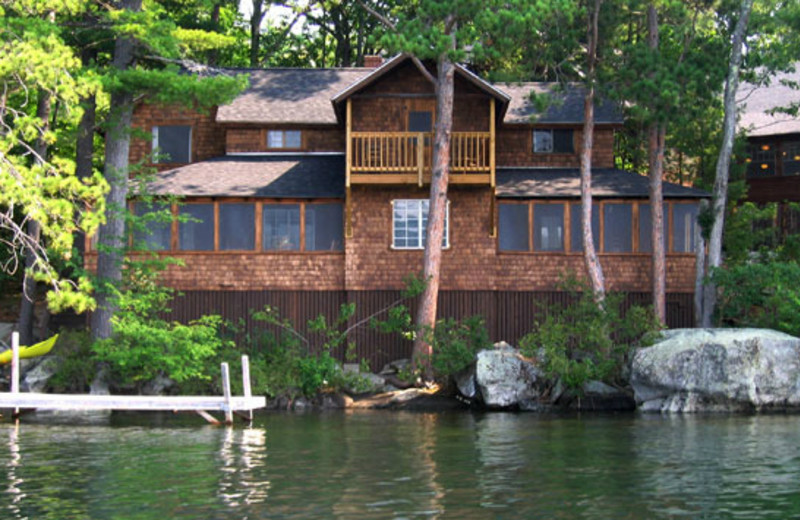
[[724, 161]]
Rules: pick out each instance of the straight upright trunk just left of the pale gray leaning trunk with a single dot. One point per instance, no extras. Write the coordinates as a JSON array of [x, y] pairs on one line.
[[656, 143]]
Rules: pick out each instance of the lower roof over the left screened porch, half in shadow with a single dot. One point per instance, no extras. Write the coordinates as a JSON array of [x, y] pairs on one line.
[[287, 176]]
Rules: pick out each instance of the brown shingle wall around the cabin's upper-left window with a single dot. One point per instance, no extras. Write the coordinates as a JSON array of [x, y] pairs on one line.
[[208, 138]]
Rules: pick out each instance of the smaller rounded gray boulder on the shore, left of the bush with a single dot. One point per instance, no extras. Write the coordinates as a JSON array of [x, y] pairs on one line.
[[503, 378]]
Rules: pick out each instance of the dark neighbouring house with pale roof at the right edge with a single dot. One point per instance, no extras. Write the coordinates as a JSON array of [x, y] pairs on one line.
[[773, 145]]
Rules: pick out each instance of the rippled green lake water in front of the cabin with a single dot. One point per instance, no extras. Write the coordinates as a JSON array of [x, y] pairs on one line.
[[404, 465]]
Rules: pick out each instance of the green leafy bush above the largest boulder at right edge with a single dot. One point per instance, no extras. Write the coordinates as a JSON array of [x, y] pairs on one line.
[[760, 294]]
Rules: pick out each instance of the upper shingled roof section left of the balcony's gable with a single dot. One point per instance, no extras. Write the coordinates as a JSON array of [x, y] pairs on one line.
[[289, 96]]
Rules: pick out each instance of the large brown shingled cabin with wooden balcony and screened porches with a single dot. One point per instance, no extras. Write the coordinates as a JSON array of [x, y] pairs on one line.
[[312, 191]]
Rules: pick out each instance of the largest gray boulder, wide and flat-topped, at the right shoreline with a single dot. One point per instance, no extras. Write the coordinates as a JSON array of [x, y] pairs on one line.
[[719, 370]]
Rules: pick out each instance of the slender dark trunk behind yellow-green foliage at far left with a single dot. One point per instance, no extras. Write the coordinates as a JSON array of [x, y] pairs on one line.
[[28, 300]]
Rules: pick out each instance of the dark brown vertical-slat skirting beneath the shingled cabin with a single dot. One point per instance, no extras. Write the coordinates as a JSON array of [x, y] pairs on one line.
[[509, 315]]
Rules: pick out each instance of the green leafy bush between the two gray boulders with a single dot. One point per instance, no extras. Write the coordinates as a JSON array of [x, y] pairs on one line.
[[586, 341]]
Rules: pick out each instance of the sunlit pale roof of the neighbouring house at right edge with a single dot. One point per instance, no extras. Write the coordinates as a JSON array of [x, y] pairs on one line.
[[755, 103]]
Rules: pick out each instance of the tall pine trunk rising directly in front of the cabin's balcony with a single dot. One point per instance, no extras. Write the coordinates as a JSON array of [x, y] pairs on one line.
[[426, 316]]
